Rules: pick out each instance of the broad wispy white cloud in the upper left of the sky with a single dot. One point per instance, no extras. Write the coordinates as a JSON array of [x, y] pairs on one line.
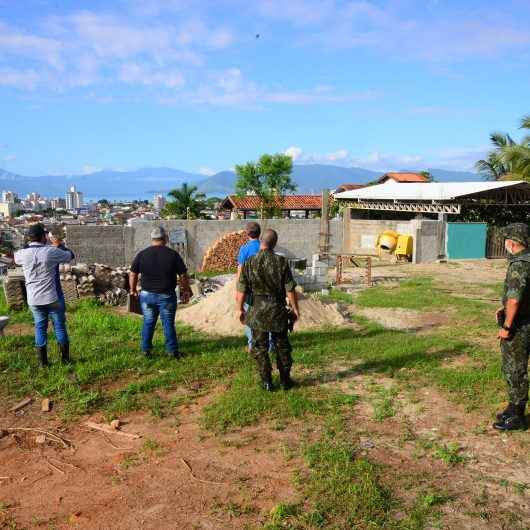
[[88, 48]]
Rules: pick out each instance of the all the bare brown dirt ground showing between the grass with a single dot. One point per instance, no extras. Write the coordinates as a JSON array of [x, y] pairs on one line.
[[179, 476]]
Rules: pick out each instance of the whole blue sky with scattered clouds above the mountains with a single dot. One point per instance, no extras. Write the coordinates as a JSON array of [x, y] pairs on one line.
[[385, 84]]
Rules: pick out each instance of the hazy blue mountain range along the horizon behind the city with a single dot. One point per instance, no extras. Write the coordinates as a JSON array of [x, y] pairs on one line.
[[146, 182]]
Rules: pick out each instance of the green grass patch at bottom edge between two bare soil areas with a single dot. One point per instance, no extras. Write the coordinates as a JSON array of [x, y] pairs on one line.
[[345, 490]]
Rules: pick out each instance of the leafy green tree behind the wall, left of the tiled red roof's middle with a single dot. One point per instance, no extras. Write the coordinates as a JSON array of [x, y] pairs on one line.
[[269, 179]]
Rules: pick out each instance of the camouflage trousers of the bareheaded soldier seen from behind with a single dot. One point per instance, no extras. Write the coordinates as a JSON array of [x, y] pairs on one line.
[[260, 352]]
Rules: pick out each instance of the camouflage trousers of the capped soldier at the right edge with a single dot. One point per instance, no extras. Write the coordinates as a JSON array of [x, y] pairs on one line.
[[515, 364]]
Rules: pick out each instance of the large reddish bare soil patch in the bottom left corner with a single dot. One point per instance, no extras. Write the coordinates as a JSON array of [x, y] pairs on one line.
[[175, 476]]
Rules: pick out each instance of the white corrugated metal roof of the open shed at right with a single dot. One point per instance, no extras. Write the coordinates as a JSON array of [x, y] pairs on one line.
[[429, 191]]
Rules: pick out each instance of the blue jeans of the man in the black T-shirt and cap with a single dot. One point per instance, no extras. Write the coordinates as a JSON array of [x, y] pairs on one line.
[[153, 305]]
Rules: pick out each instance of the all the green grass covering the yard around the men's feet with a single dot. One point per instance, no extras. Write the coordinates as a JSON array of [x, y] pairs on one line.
[[341, 488]]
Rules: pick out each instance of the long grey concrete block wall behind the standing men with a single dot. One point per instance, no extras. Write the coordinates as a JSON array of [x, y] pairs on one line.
[[118, 245]]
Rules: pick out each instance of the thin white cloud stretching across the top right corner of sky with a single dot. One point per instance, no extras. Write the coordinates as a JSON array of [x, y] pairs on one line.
[[403, 29]]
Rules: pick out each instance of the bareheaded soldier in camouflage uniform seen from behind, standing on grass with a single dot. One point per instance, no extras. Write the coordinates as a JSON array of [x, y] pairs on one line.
[[267, 278]]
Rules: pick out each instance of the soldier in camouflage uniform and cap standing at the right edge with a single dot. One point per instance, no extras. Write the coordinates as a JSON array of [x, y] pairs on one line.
[[514, 319]]
